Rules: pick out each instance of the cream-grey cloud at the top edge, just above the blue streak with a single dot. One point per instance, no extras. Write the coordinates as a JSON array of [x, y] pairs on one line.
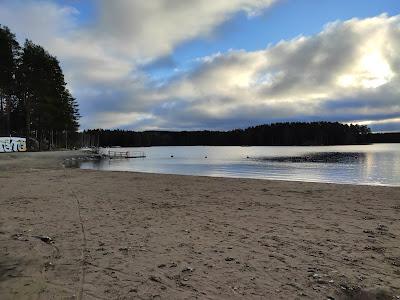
[[146, 29]]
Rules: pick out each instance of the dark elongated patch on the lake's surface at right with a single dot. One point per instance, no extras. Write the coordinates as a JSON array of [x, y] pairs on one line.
[[326, 157]]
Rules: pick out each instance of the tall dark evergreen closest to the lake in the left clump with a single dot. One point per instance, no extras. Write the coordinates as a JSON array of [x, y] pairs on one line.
[[48, 105]]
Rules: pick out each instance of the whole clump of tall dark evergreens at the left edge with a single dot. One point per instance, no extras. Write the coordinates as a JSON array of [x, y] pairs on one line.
[[34, 99]]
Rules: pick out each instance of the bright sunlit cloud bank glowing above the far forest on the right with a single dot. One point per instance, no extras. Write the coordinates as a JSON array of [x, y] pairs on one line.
[[349, 71]]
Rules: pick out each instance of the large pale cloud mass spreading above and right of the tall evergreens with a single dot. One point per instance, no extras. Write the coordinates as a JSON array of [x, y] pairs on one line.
[[104, 58]]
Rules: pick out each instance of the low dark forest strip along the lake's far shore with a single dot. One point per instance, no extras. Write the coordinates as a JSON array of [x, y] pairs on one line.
[[282, 134]]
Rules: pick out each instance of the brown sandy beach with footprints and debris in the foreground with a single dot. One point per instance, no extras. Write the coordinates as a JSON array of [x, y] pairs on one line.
[[118, 235]]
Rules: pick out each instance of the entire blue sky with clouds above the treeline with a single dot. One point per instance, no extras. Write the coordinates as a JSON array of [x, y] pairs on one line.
[[221, 64]]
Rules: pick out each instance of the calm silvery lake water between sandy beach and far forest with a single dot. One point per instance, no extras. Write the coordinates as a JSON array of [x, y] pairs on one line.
[[377, 164]]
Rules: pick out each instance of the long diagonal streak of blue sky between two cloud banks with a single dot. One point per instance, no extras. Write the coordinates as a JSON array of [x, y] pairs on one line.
[[284, 21]]
